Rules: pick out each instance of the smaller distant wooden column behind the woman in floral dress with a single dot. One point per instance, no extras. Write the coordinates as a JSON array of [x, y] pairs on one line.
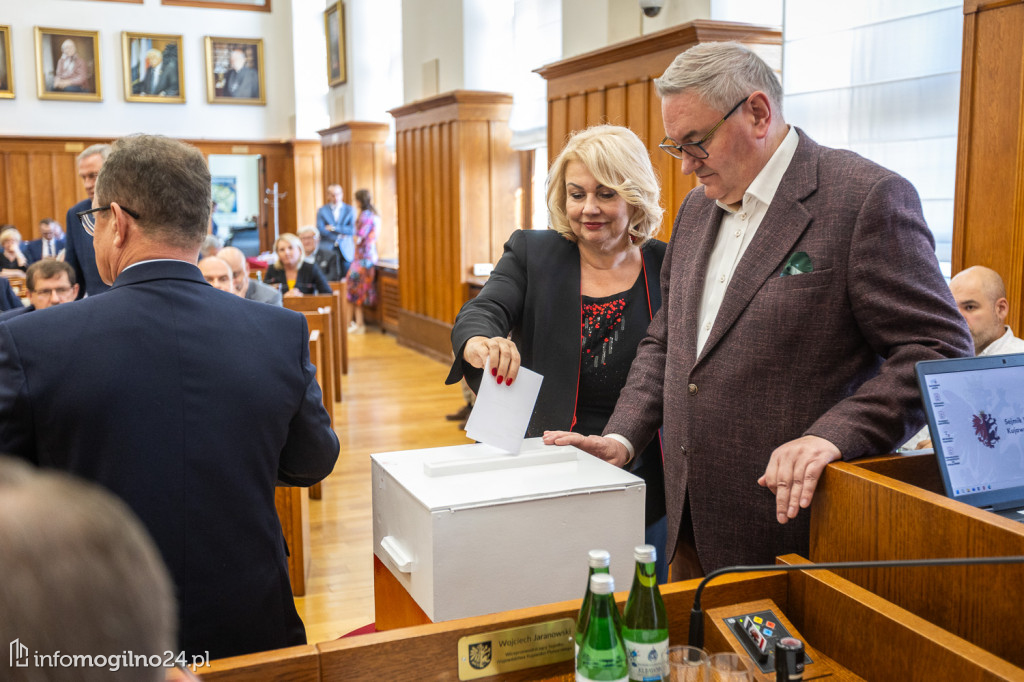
[[356, 157]]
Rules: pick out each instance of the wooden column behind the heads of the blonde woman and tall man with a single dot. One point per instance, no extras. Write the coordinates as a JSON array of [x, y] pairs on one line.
[[616, 86]]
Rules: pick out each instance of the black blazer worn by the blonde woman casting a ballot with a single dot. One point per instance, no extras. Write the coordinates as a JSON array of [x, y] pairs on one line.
[[534, 292]]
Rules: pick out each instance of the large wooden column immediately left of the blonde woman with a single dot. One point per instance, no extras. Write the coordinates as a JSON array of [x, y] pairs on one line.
[[457, 181]]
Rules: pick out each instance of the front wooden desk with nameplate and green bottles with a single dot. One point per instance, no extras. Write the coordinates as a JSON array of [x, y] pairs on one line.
[[865, 636]]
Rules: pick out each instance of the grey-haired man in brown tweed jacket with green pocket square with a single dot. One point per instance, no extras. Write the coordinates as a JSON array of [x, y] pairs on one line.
[[799, 290]]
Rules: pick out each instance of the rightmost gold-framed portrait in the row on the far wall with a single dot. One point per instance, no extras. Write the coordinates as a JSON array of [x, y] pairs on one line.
[[235, 71]]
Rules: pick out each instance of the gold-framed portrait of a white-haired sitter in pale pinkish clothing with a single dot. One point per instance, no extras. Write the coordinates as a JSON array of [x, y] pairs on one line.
[[68, 65]]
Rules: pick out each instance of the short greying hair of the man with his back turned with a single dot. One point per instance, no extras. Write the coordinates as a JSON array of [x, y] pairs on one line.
[[165, 182]]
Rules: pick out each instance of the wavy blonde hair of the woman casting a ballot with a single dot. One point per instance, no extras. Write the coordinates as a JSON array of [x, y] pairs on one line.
[[617, 159]]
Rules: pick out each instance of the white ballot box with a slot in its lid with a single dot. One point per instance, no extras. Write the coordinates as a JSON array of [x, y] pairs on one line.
[[470, 531]]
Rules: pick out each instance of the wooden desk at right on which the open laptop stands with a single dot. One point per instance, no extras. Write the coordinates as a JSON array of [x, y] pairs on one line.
[[863, 511]]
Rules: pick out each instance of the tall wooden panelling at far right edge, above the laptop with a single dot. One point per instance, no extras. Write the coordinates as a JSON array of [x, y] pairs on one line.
[[989, 206]]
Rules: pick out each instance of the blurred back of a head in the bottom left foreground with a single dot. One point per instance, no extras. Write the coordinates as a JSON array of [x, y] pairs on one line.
[[71, 548]]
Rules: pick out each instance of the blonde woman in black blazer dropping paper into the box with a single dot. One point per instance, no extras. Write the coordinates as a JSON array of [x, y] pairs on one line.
[[577, 300]]
